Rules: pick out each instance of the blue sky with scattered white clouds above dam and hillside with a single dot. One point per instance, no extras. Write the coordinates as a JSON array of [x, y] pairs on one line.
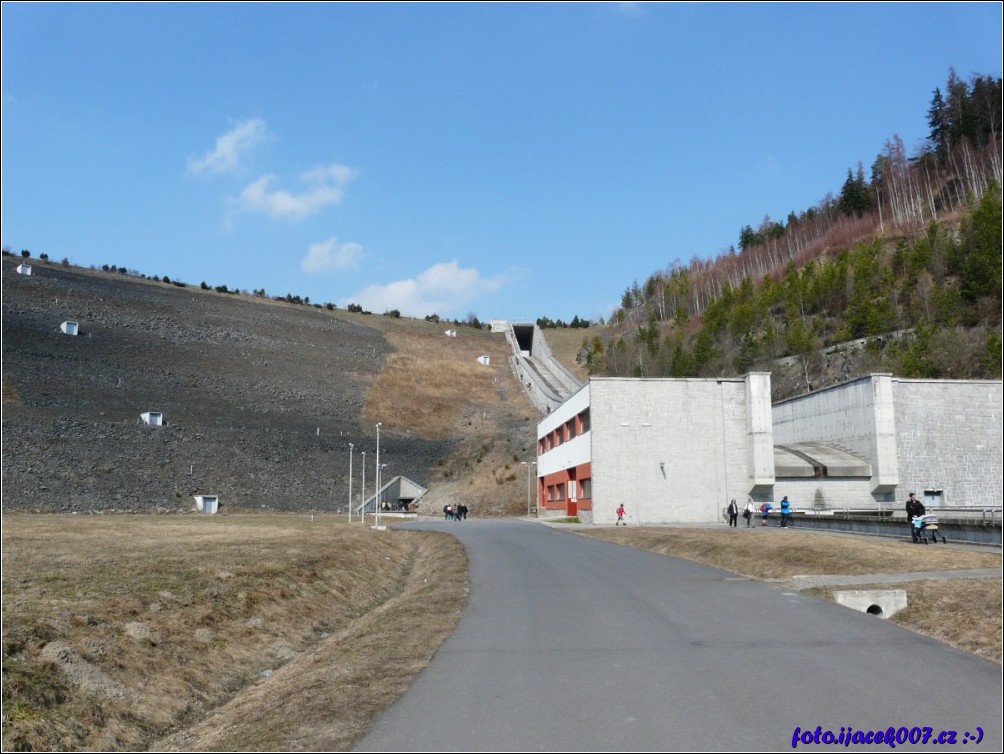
[[510, 161]]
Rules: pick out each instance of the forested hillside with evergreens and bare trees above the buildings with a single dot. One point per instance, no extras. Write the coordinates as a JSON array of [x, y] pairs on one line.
[[901, 273]]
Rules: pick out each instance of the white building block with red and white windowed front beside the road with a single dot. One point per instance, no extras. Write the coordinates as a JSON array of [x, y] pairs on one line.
[[670, 450]]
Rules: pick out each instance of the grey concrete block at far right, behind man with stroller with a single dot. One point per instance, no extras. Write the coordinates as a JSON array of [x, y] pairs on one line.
[[938, 438]]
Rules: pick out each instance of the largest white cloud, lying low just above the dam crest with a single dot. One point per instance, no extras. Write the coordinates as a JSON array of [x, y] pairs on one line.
[[444, 290]]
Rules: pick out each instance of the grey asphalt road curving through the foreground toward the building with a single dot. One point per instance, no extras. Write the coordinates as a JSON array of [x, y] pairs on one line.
[[570, 644]]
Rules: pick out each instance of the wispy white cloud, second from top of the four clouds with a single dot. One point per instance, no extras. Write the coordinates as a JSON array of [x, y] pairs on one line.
[[325, 186]]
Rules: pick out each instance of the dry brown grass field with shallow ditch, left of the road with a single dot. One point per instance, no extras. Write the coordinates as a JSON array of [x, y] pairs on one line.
[[121, 630]]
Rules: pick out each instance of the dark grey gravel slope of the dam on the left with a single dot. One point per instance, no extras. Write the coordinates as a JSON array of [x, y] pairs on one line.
[[261, 399]]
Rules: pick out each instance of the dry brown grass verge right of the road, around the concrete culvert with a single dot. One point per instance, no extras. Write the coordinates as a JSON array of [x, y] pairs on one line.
[[965, 614]]
